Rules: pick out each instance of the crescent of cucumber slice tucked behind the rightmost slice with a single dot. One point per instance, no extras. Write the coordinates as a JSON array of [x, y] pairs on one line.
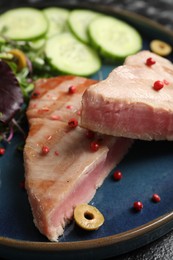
[[78, 22]]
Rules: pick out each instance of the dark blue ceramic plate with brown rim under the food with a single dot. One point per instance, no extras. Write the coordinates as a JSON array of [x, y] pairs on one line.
[[147, 169]]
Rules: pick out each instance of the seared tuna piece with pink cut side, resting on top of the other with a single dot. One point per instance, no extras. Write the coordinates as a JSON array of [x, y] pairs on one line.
[[127, 103]]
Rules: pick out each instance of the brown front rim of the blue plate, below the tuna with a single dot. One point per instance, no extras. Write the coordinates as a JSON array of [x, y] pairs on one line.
[[91, 243]]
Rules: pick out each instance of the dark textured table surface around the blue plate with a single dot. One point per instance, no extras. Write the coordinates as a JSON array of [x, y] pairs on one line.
[[162, 12]]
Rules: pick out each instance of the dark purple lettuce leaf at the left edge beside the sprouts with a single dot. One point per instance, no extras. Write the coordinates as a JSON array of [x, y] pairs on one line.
[[11, 98]]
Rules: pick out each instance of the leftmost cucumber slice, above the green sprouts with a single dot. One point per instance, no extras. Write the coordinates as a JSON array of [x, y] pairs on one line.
[[23, 24]]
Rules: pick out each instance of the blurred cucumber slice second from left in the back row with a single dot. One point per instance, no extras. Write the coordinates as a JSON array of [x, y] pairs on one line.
[[57, 18]]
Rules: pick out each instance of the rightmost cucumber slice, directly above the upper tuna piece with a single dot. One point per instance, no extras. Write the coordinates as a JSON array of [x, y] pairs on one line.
[[114, 38]]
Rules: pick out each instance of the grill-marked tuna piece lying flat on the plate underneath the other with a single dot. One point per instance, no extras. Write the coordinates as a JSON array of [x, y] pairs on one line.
[[61, 170]]
